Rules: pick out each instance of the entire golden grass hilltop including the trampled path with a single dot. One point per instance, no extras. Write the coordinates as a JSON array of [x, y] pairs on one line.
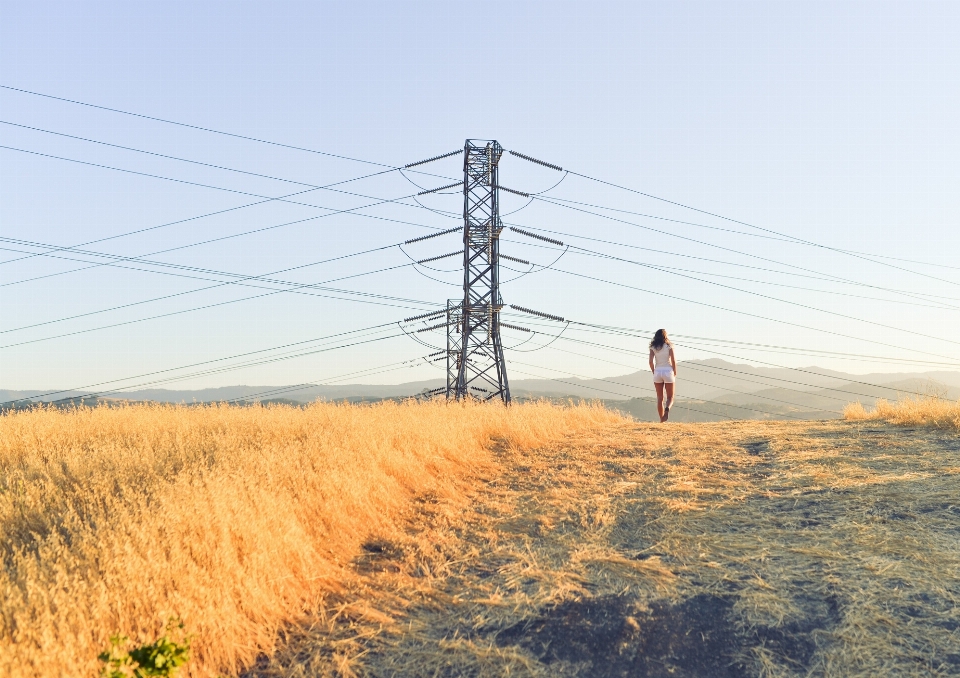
[[469, 540]]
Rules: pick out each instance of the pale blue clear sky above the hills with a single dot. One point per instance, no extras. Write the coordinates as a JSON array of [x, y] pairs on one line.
[[794, 129]]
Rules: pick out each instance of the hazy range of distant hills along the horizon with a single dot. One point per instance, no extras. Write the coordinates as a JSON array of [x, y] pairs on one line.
[[713, 388]]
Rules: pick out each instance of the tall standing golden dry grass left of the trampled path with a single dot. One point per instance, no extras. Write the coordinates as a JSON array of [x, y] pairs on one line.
[[241, 521]]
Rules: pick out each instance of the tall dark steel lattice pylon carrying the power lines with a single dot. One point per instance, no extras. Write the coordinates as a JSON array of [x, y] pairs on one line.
[[481, 371]]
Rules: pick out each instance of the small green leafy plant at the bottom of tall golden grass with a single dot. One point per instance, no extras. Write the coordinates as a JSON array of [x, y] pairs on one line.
[[163, 657]]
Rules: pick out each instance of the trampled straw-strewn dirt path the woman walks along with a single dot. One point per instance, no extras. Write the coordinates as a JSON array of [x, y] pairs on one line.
[[755, 548]]
